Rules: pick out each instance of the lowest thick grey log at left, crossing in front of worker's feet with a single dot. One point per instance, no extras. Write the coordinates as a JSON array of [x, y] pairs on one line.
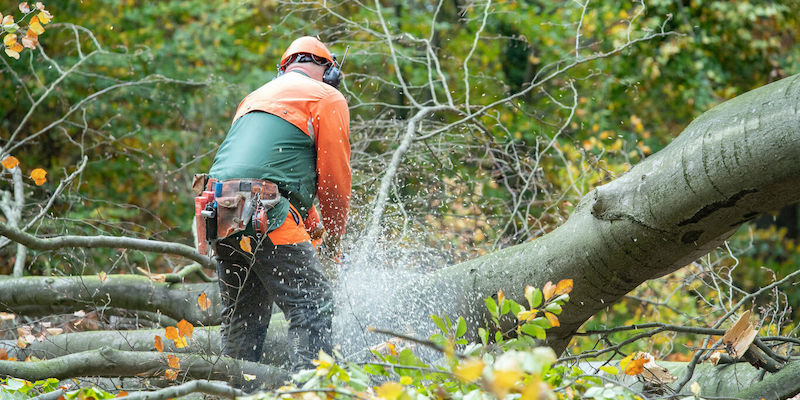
[[110, 362]]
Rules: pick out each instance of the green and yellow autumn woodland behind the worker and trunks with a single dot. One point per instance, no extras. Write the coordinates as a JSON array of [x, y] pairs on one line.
[[172, 73]]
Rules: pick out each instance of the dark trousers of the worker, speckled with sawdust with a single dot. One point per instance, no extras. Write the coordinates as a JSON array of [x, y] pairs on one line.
[[288, 275]]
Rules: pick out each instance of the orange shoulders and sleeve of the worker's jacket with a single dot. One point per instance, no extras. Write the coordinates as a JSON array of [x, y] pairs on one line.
[[320, 111]]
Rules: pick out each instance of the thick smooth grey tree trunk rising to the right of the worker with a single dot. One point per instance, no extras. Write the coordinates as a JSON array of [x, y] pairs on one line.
[[734, 162]]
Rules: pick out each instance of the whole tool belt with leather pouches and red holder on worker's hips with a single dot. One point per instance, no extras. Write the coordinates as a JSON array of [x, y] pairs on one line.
[[224, 208]]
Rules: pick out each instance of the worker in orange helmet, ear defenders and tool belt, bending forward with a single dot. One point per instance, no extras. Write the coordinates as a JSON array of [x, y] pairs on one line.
[[288, 144]]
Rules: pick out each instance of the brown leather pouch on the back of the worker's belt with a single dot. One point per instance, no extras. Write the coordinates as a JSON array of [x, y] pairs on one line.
[[239, 200]]
